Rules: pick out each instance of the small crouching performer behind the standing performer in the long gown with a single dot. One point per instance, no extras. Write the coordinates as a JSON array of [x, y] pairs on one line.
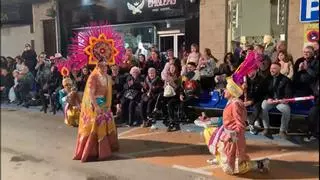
[[69, 99]]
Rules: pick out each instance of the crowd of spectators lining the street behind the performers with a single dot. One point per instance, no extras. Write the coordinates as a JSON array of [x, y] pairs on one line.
[[141, 81]]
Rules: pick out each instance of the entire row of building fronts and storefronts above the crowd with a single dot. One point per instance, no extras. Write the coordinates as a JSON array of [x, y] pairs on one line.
[[170, 24]]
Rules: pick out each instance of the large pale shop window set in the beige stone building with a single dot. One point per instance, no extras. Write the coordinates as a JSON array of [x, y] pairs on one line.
[[250, 20]]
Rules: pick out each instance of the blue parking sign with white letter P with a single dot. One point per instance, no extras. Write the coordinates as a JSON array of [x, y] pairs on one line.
[[309, 11]]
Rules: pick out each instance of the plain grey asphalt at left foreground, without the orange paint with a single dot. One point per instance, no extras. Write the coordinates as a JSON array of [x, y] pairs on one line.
[[40, 147]]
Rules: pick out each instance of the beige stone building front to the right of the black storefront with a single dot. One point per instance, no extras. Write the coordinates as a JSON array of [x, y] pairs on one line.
[[247, 21]]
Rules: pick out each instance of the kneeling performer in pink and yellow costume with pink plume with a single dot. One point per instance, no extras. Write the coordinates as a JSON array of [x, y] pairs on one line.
[[227, 143]]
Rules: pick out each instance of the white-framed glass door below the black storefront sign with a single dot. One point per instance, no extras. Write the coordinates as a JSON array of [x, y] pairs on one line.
[[172, 41]]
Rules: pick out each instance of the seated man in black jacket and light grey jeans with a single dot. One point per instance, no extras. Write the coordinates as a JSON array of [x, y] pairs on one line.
[[278, 87]]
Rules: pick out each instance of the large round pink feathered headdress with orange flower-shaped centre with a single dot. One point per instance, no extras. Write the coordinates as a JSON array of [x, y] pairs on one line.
[[96, 42]]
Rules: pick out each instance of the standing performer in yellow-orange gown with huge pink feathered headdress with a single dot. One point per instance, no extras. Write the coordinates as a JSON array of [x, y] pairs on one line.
[[97, 134]]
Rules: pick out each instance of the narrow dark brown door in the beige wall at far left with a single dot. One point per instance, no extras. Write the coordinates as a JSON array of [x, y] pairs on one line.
[[49, 37]]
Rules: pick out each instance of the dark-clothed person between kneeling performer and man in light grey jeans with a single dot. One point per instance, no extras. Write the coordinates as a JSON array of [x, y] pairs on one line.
[[255, 95]]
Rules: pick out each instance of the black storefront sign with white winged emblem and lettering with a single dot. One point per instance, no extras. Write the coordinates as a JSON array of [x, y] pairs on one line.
[[123, 11]]
